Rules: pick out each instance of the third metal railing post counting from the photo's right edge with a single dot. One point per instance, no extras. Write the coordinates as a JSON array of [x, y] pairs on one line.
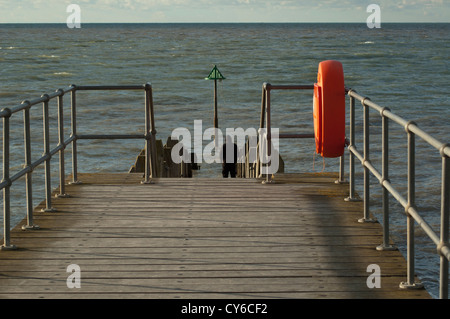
[[385, 177]]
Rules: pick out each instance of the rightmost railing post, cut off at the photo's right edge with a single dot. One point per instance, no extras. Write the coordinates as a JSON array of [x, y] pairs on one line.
[[445, 212]]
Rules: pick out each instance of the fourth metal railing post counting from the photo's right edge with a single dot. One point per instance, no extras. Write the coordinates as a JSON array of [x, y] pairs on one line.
[[366, 218]]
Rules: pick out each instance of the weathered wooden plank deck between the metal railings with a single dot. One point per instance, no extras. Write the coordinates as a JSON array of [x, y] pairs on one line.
[[202, 238]]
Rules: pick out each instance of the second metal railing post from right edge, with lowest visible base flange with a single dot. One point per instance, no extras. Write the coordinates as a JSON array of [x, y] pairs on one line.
[[410, 249]]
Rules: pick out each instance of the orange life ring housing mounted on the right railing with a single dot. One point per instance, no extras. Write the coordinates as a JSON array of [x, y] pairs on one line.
[[329, 109]]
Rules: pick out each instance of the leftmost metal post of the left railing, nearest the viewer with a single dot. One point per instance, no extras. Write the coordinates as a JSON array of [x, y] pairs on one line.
[[7, 189]]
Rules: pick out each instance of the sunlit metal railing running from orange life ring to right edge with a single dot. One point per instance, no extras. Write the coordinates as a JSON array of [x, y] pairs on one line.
[[412, 130]]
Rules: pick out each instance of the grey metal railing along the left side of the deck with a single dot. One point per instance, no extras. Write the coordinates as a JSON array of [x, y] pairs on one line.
[[29, 167]]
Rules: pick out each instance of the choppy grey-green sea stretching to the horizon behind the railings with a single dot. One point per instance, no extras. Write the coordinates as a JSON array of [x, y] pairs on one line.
[[402, 66]]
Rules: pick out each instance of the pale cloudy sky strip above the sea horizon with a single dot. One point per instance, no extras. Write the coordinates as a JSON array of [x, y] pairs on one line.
[[157, 11]]
